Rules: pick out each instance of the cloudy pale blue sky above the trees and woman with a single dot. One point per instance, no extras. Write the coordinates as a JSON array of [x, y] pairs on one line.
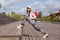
[[19, 6]]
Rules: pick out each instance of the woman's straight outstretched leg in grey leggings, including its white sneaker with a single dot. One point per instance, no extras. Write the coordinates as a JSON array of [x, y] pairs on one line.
[[33, 23]]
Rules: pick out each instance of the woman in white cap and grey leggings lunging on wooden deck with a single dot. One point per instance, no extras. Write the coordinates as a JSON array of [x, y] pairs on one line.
[[31, 19]]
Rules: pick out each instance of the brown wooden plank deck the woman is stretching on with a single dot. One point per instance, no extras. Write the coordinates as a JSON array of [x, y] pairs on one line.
[[11, 32]]
